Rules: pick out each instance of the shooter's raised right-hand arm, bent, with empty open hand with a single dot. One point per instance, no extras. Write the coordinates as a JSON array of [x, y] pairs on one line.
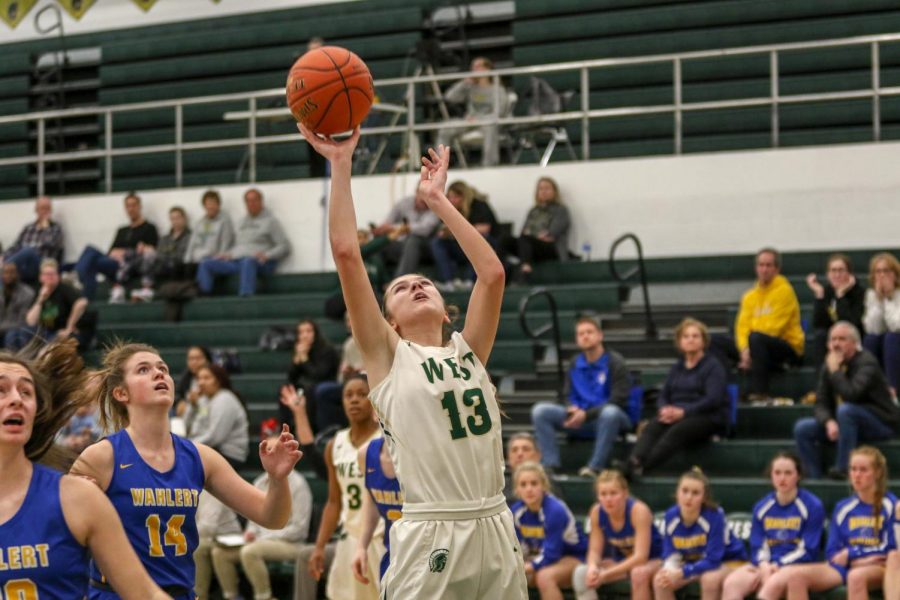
[[483, 314]]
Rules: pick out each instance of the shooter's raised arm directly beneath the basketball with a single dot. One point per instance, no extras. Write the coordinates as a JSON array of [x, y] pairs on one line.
[[375, 338]]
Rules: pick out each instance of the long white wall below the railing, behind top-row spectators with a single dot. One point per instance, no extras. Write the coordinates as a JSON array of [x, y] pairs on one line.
[[801, 199]]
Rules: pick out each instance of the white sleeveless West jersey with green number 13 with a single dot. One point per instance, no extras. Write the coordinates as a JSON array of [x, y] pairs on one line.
[[441, 423]]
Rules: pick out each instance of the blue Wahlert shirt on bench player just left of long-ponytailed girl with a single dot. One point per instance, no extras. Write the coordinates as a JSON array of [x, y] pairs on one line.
[[787, 534]]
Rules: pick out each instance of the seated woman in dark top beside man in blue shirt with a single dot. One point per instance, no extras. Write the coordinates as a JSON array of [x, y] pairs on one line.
[[693, 404]]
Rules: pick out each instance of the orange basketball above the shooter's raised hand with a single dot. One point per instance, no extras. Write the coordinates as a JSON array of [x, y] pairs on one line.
[[330, 90]]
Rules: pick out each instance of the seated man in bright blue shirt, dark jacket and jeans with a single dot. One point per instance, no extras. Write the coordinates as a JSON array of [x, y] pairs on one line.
[[599, 387]]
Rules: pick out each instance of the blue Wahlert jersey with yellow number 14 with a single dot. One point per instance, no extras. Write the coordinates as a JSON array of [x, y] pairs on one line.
[[157, 510]]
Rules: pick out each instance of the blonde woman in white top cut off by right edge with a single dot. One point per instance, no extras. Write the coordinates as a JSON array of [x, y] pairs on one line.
[[881, 318]]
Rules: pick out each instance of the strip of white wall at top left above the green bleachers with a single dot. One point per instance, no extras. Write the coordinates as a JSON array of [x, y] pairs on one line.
[[119, 14]]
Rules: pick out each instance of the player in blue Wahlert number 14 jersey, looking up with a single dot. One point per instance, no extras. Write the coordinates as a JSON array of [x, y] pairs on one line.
[[154, 478]]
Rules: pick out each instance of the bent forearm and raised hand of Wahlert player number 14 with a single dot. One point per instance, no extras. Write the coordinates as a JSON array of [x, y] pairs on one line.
[[272, 508]]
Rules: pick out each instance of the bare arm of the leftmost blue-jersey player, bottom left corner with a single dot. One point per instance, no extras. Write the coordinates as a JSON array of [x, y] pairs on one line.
[[94, 523]]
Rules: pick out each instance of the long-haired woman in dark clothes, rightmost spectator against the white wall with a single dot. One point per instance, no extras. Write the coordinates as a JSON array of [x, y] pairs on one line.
[[545, 234]]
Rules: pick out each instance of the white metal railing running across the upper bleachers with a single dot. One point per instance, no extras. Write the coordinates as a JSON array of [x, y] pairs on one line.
[[584, 114]]
